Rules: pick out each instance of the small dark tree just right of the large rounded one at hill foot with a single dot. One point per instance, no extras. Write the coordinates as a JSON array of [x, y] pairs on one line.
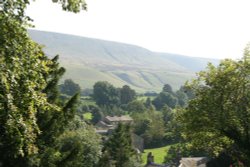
[[127, 94]]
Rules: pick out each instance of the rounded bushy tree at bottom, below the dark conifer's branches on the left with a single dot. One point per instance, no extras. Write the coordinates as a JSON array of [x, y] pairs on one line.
[[78, 146]]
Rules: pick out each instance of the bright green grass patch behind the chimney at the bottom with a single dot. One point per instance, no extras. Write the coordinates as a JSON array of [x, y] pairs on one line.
[[158, 153]]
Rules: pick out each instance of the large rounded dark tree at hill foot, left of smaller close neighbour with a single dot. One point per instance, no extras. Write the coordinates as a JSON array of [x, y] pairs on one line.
[[105, 94]]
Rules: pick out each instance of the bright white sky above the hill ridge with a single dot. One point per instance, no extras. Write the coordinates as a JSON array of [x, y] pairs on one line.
[[199, 28]]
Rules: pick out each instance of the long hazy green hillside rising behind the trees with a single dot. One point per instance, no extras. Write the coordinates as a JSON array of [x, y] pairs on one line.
[[89, 60]]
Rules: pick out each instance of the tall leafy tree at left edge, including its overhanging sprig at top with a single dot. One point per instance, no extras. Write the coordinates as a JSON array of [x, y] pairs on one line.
[[24, 76]]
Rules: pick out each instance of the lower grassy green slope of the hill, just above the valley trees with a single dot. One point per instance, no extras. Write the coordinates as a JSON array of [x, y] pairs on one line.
[[141, 81]]
